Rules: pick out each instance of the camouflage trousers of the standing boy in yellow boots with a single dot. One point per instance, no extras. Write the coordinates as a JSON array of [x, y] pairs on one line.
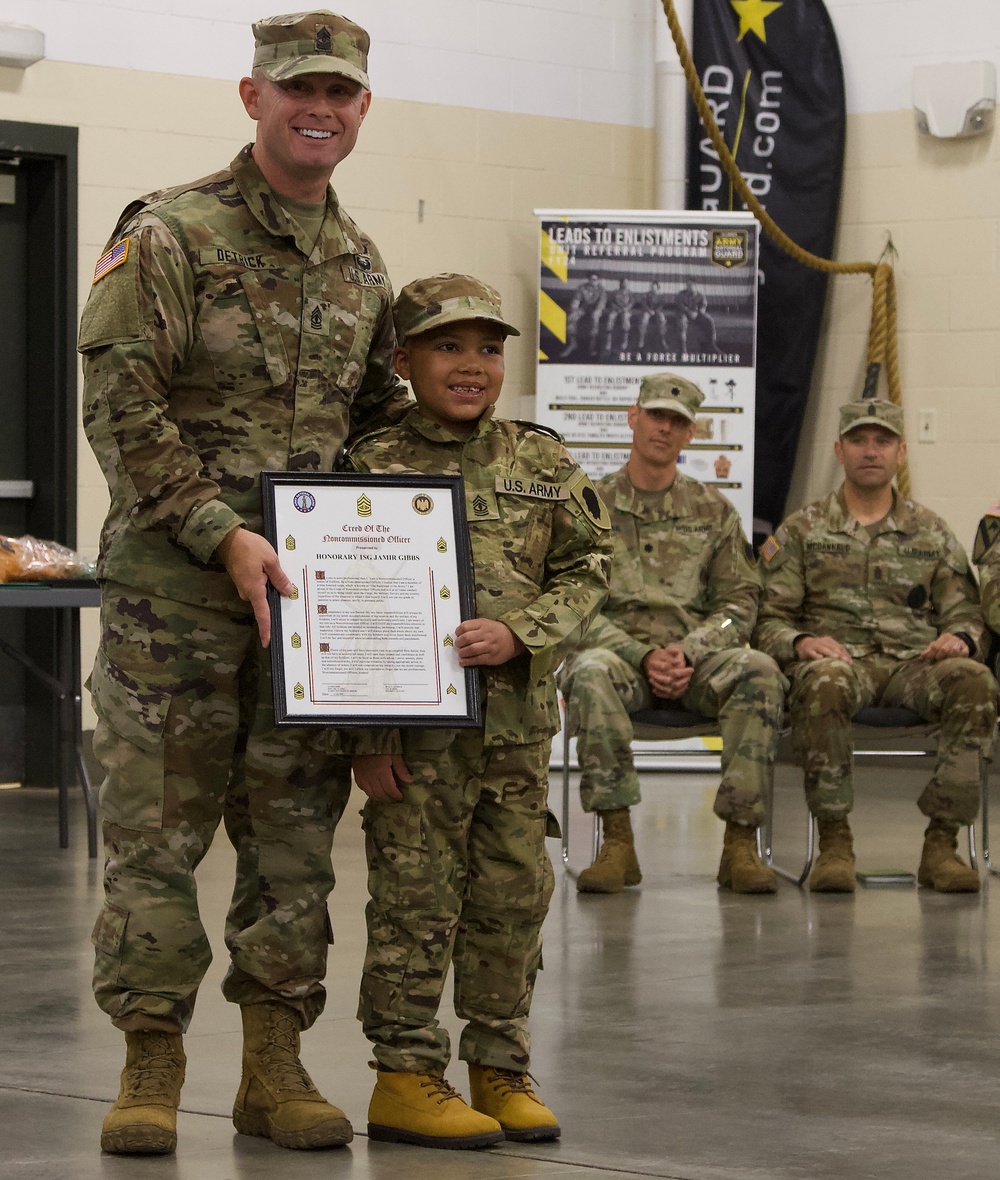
[[459, 875]]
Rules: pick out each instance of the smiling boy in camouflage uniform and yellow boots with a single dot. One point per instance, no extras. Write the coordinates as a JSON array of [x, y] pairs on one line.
[[456, 821]]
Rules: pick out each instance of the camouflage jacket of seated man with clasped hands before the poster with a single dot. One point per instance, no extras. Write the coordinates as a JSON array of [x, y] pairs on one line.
[[681, 573]]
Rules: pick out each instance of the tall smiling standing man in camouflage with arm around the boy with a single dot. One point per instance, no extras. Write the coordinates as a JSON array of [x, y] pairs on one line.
[[237, 324]]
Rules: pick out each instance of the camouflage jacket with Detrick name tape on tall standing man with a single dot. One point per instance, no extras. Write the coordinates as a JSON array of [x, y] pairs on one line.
[[218, 349]]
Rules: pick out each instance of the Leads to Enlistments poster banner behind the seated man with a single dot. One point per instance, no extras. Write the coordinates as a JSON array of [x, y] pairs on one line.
[[629, 293]]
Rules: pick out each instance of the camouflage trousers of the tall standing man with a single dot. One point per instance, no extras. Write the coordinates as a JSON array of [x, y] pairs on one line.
[[187, 738]]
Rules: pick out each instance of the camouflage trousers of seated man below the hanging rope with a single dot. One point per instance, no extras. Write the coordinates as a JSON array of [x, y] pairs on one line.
[[960, 696]]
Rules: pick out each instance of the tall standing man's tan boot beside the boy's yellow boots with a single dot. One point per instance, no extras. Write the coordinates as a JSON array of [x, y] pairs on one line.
[[277, 1098]]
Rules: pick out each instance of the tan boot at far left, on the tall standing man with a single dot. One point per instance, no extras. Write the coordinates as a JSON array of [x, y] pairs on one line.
[[145, 1119]]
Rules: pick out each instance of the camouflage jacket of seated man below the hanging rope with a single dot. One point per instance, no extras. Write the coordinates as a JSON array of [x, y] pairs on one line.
[[893, 593]]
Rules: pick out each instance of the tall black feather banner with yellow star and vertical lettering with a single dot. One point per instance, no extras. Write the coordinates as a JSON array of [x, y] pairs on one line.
[[772, 71]]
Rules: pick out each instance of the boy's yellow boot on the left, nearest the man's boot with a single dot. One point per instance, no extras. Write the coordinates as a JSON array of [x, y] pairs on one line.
[[424, 1110]]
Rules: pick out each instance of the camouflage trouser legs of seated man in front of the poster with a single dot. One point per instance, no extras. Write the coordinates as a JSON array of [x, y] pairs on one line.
[[741, 687]]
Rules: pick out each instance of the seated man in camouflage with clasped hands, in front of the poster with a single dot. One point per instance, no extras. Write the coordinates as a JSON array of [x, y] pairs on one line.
[[683, 602]]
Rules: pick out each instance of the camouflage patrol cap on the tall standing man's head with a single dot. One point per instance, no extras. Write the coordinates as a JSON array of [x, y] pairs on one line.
[[302, 43]]
